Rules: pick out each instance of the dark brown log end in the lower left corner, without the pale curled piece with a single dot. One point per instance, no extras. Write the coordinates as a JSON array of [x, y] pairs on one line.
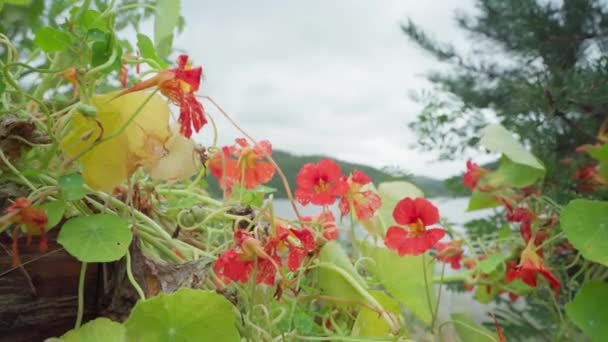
[[46, 305]]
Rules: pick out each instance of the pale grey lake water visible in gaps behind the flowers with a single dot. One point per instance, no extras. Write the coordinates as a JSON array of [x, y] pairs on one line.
[[452, 209]]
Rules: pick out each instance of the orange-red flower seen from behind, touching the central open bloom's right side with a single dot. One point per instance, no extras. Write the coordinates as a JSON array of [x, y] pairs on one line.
[[365, 203]]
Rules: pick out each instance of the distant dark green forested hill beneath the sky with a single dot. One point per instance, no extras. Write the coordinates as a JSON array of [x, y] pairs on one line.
[[291, 164]]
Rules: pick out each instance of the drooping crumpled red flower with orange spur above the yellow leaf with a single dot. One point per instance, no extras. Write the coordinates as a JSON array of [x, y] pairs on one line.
[[179, 85]]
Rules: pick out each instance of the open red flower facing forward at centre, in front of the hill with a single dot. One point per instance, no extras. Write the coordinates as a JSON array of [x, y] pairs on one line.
[[320, 183]]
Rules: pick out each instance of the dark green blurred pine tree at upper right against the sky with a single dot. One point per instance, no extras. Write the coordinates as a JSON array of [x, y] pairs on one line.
[[534, 70]]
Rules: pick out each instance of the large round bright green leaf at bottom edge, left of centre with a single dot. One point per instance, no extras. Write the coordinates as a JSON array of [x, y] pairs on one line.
[[186, 315]]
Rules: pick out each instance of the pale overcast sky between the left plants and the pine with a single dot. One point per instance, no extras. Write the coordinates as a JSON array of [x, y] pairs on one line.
[[321, 77]]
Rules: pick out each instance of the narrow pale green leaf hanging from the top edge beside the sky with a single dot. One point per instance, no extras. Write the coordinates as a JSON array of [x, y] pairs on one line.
[[165, 22]]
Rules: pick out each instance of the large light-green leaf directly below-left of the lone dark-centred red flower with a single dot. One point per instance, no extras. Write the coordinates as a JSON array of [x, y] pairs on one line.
[[402, 277]]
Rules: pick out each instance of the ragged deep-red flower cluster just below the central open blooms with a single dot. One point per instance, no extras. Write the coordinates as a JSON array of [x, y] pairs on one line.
[[265, 259]]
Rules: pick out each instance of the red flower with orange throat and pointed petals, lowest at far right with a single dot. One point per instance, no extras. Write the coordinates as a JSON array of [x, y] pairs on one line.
[[531, 263]]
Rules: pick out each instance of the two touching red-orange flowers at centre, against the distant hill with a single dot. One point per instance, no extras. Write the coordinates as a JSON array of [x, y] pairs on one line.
[[322, 184]]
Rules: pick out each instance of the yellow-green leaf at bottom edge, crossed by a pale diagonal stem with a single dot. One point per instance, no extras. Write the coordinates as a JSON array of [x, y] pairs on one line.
[[370, 324]]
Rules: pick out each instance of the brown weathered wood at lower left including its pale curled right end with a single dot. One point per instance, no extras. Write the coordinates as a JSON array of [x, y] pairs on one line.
[[43, 303]]
